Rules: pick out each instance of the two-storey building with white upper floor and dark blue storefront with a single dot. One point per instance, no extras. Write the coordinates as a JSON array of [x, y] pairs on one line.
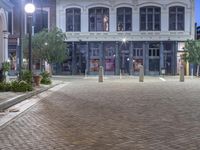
[[121, 36]]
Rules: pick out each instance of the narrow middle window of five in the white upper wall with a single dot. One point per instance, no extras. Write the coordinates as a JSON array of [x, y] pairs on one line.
[[124, 19]]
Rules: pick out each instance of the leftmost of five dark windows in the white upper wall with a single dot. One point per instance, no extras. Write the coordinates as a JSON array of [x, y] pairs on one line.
[[73, 20]]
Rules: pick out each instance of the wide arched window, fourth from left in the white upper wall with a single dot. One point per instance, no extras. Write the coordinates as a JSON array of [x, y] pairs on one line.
[[150, 18]]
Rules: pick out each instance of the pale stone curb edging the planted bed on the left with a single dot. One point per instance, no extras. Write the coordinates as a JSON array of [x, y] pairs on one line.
[[13, 101]]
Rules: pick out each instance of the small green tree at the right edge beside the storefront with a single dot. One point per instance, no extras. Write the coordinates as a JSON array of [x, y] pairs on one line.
[[192, 53]]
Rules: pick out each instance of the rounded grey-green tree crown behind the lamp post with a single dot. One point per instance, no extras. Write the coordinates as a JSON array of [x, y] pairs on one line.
[[48, 46]]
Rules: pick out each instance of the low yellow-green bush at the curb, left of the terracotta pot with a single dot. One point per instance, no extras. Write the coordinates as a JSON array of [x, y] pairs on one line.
[[21, 86]]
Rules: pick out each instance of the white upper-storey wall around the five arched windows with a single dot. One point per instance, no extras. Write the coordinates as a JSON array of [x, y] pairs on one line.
[[136, 34]]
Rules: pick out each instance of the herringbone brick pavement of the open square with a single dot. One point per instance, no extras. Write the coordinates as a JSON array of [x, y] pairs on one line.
[[114, 115]]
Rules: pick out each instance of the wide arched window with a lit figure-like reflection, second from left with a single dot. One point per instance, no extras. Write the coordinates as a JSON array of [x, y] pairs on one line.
[[99, 19]]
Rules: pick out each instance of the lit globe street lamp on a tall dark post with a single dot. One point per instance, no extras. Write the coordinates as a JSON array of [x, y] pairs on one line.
[[30, 9]]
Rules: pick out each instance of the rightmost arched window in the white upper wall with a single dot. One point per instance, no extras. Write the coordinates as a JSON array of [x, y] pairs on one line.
[[176, 18]]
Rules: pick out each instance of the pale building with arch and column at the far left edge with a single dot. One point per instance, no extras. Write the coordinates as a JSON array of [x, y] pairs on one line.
[[5, 8]]
